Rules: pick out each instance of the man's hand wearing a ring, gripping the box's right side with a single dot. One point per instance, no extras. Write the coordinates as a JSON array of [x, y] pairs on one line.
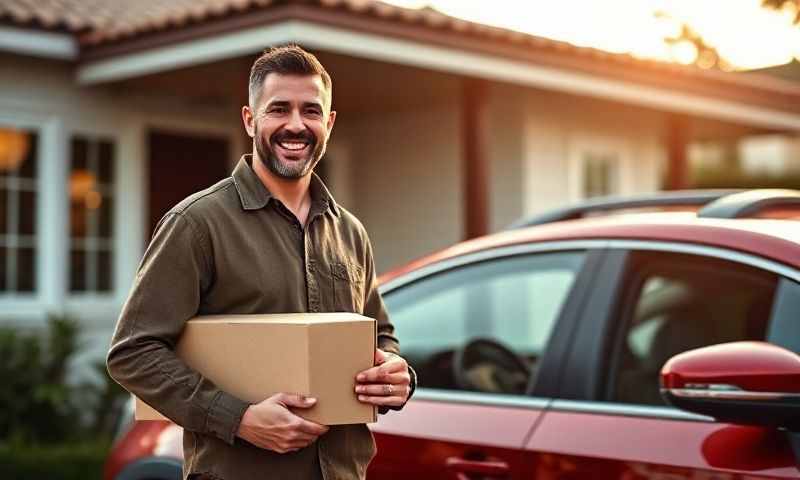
[[387, 384]]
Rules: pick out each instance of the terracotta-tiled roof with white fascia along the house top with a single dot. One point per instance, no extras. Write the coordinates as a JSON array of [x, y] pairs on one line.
[[120, 41]]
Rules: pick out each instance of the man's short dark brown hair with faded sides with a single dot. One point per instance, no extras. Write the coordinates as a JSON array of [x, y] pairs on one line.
[[286, 60]]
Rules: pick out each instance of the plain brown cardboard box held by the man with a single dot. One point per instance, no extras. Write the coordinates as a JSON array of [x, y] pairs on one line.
[[255, 356]]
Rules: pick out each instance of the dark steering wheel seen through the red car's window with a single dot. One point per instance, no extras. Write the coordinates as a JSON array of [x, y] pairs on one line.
[[486, 365]]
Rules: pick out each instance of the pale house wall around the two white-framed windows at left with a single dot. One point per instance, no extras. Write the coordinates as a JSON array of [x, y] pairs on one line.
[[43, 95]]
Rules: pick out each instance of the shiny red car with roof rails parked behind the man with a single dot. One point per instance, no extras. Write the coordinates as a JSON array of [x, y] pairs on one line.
[[579, 345]]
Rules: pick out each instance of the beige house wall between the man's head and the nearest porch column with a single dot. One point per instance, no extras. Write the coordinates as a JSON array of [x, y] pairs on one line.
[[405, 180]]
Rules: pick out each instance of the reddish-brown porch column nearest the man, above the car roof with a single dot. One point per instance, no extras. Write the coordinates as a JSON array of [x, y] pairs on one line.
[[474, 123]]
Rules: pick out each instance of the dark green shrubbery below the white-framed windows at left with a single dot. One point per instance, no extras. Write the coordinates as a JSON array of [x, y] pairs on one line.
[[43, 434]]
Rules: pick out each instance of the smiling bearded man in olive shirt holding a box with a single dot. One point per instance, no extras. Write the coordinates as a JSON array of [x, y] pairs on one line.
[[268, 239]]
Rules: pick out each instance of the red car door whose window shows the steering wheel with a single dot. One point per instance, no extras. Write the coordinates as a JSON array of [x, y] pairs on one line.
[[462, 325]]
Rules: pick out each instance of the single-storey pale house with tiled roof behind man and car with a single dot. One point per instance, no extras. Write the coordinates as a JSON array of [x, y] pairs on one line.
[[112, 111]]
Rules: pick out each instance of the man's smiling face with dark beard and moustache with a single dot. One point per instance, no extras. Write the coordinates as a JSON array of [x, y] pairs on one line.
[[291, 124]]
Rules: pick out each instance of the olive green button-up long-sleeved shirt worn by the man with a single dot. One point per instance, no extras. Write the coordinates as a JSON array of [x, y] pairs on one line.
[[233, 248]]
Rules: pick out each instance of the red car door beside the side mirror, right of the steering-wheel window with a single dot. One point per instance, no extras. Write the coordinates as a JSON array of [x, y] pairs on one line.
[[610, 421]]
